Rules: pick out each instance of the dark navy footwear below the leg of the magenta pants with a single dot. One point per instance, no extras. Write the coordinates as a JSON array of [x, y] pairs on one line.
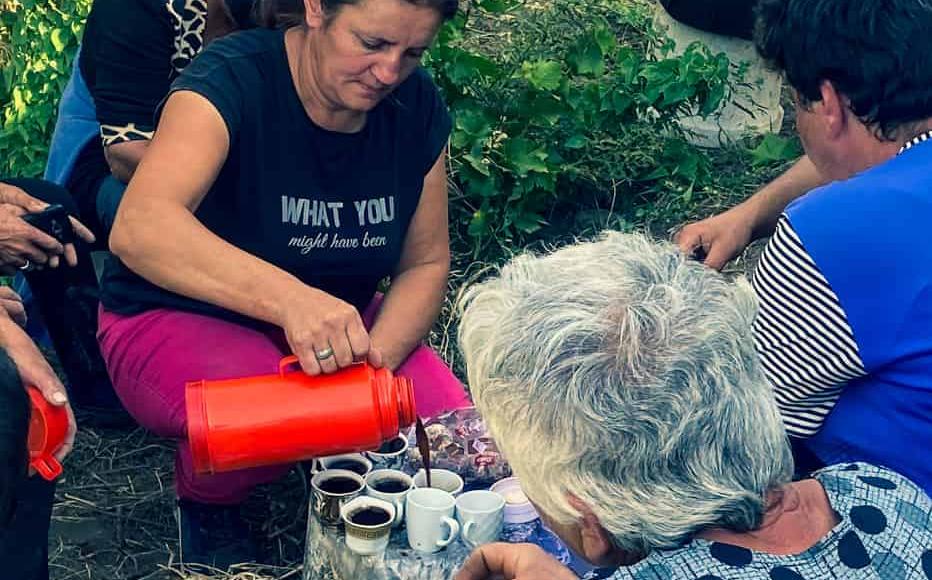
[[214, 535]]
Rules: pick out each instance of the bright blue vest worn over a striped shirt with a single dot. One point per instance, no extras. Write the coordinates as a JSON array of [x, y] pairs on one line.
[[869, 237]]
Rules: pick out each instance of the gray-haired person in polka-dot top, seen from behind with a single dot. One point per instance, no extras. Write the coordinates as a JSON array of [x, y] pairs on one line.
[[621, 381]]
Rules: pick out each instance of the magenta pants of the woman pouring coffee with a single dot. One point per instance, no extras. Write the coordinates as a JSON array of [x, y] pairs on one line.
[[150, 357]]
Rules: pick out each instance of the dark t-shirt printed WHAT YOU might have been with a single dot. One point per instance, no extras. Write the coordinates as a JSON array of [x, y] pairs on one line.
[[331, 208]]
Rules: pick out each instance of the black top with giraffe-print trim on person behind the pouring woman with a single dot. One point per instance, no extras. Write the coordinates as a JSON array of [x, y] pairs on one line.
[[131, 52]]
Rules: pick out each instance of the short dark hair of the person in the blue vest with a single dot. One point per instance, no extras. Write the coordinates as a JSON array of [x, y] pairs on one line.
[[877, 53]]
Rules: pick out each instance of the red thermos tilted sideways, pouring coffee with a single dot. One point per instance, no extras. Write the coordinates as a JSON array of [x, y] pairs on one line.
[[273, 419]]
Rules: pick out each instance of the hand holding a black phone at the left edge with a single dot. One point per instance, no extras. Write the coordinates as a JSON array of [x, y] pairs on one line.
[[22, 244]]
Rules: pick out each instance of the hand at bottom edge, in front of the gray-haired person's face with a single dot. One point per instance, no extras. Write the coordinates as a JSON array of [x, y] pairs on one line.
[[513, 562]]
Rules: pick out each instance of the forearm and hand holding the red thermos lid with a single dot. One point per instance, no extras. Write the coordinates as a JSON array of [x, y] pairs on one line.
[[35, 371]]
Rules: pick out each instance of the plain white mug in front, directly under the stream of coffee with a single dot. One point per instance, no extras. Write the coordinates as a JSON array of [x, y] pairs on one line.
[[429, 518]]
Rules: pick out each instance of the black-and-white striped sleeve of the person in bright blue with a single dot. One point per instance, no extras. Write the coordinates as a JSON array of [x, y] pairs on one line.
[[806, 346]]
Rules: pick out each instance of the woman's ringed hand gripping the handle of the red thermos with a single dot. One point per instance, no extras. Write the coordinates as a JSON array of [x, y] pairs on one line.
[[326, 333]]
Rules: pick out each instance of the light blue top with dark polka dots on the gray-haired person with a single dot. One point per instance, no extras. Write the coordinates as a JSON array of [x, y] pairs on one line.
[[884, 534]]
